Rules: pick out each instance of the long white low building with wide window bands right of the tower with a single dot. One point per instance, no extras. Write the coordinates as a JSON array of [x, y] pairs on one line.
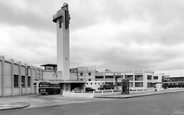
[[138, 80]]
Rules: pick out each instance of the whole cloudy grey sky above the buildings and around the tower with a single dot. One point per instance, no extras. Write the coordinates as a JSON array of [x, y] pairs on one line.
[[106, 34]]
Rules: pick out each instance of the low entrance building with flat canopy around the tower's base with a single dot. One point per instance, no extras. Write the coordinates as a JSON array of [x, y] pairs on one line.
[[50, 74]]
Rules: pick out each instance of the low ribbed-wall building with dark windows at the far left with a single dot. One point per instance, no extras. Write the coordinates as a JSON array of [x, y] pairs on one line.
[[17, 78]]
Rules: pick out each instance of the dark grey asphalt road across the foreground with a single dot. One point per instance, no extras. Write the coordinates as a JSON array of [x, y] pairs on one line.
[[165, 104]]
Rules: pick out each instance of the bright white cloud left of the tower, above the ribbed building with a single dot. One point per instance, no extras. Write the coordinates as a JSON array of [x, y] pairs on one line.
[[28, 46]]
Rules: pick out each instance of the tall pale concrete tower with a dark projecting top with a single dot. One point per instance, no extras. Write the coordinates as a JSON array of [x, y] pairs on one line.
[[62, 18]]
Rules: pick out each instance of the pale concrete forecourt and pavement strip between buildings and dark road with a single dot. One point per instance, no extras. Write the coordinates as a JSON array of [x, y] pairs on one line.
[[30, 101]]
